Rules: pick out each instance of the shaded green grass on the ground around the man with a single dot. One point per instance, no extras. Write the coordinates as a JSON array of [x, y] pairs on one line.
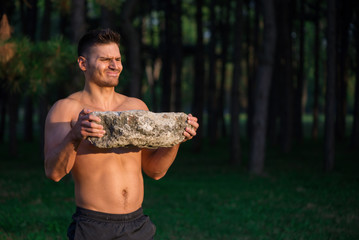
[[202, 197]]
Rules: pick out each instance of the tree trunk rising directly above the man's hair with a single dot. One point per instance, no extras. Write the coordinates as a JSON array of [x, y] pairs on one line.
[[78, 19]]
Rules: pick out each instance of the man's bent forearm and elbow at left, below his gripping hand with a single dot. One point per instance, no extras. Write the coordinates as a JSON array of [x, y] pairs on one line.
[[60, 160]]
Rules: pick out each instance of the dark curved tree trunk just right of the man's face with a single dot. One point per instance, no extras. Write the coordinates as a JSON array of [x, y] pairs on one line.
[[133, 44]]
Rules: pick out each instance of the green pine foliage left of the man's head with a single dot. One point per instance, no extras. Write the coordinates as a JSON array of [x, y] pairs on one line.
[[41, 68]]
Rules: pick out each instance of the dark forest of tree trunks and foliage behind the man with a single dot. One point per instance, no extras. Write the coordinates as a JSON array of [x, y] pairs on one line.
[[258, 74]]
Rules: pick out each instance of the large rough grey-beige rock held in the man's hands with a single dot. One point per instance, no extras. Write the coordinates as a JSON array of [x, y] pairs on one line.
[[140, 128]]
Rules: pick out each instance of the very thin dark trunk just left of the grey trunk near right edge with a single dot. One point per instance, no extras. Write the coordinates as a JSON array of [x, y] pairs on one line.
[[316, 72]]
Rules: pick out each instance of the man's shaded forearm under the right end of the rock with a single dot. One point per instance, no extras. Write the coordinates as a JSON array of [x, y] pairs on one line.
[[155, 163]]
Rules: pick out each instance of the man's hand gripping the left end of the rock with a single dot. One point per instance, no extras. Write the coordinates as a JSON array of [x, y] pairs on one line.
[[87, 126]]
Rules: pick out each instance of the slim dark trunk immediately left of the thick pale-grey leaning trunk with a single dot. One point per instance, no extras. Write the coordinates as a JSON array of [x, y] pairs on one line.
[[235, 133]]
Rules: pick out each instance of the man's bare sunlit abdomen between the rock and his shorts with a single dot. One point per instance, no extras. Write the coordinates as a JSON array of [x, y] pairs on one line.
[[108, 180]]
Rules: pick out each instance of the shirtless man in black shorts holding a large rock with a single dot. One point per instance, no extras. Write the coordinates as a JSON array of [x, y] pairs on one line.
[[108, 182]]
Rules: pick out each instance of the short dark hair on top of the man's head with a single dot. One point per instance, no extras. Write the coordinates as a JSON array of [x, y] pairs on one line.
[[94, 37]]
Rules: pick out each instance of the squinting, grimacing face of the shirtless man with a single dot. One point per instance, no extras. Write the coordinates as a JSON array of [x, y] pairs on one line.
[[103, 65]]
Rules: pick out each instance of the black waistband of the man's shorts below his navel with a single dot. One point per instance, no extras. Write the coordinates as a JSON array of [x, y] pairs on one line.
[[109, 216]]
